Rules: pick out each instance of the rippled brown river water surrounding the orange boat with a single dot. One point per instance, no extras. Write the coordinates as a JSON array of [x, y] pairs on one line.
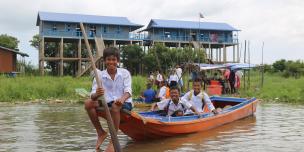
[[274, 127]]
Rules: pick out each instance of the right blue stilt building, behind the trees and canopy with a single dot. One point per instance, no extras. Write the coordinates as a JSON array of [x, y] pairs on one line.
[[214, 37]]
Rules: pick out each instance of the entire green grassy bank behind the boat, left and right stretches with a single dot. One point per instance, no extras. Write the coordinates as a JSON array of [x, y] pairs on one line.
[[29, 88]]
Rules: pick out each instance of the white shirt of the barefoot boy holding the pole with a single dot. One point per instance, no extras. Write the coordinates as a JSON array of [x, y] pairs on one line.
[[114, 89]]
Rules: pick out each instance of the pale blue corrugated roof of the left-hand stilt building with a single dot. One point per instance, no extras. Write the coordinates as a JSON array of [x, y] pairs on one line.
[[76, 18]]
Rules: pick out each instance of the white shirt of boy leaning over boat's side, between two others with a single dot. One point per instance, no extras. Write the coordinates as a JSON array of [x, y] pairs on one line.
[[172, 107]]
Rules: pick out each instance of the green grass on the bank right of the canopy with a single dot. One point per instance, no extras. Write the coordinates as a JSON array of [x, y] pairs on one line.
[[275, 88]]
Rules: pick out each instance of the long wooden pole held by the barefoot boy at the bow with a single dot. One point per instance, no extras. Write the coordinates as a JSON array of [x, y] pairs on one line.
[[102, 99]]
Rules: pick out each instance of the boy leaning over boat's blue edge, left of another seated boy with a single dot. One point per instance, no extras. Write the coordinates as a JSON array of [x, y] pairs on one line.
[[174, 106]]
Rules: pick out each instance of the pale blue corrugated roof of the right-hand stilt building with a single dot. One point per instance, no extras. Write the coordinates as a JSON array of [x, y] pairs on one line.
[[158, 23]]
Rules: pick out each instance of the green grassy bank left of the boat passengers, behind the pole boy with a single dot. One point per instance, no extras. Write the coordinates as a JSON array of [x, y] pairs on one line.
[[30, 88]]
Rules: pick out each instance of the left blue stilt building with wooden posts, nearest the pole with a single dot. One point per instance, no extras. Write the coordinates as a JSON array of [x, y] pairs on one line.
[[61, 29]]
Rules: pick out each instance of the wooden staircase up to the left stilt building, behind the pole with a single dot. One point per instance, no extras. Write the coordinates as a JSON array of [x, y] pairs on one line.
[[100, 46]]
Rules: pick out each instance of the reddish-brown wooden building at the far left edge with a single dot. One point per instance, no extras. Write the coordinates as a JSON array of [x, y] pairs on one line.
[[8, 60]]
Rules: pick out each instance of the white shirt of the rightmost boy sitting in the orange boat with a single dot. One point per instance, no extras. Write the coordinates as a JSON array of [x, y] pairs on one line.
[[196, 101]]
